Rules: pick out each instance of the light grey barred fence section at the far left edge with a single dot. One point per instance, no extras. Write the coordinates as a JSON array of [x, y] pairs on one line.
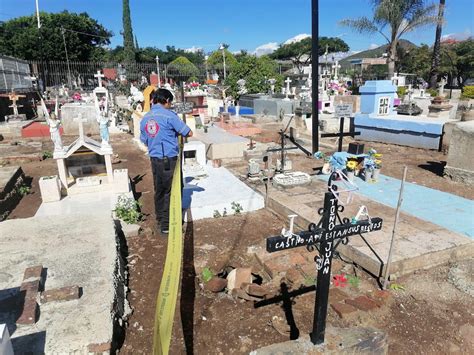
[[14, 75]]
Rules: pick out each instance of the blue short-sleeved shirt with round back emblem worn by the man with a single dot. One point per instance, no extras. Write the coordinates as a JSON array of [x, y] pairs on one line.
[[159, 130]]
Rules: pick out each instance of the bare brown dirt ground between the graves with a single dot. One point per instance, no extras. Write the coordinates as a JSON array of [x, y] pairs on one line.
[[430, 315]]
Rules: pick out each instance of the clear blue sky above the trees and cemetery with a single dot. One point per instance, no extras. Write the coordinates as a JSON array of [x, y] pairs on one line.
[[244, 24]]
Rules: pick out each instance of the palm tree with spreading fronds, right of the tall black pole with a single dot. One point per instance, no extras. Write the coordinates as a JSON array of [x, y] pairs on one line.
[[392, 19]]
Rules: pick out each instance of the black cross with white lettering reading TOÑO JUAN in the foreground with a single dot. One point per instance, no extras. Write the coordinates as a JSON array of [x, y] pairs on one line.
[[325, 237]]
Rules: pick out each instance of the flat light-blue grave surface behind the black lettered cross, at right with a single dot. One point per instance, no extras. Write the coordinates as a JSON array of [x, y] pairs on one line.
[[446, 210]]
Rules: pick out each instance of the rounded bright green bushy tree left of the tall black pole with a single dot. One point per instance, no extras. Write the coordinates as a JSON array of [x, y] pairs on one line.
[[255, 71]]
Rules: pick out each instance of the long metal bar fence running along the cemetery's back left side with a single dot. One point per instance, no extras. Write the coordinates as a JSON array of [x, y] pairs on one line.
[[18, 75]]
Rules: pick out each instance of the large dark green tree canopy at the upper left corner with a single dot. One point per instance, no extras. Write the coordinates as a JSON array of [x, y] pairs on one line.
[[84, 37]]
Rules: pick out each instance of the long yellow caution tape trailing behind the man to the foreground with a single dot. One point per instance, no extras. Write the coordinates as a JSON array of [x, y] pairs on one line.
[[166, 300]]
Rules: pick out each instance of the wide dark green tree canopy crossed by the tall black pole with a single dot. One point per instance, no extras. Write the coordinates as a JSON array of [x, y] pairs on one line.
[[300, 52]]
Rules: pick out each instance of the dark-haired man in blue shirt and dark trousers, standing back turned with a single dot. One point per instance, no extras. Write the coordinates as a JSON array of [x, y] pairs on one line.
[[159, 130]]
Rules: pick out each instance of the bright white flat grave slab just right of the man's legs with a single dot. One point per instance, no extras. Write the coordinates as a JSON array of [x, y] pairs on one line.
[[217, 191]]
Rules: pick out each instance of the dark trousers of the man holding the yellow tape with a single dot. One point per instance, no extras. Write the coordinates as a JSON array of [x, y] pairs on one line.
[[162, 180]]
